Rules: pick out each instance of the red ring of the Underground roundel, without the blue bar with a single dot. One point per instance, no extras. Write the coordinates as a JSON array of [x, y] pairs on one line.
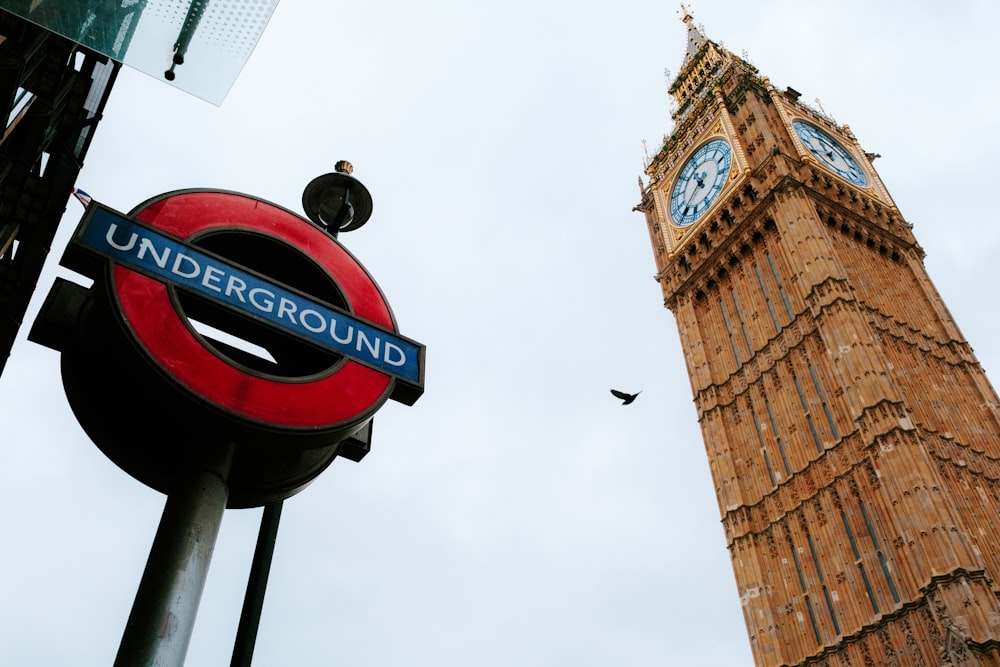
[[340, 397]]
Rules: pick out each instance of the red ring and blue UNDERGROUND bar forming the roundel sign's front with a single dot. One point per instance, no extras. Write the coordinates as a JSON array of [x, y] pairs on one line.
[[156, 258]]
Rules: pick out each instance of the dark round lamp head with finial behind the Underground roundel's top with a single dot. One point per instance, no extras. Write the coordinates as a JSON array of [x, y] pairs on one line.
[[337, 202]]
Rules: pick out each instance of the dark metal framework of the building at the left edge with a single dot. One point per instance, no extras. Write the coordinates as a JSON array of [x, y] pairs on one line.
[[54, 92]]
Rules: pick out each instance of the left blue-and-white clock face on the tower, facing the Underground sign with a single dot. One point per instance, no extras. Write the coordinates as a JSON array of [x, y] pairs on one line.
[[700, 181]]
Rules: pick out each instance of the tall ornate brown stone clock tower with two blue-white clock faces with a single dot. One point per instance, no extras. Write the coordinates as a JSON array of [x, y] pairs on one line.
[[852, 436]]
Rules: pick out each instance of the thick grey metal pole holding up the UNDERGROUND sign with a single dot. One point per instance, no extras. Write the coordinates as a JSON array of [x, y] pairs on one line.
[[159, 627]]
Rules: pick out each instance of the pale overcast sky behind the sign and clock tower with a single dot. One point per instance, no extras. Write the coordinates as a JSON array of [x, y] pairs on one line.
[[517, 515]]
